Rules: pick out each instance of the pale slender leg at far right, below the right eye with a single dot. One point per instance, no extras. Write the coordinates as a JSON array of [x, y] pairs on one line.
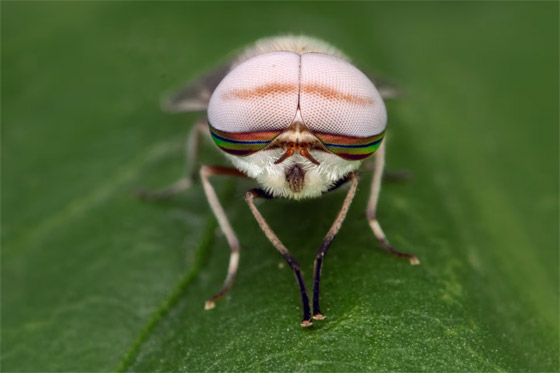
[[372, 208]]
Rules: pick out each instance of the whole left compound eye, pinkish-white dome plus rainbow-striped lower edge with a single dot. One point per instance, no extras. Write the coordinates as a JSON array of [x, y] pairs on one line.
[[257, 99]]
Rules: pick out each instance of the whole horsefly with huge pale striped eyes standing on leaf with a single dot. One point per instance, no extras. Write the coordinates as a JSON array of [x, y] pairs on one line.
[[293, 114]]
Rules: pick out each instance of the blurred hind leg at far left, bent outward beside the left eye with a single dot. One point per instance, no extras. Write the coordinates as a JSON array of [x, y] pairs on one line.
[[192, 147]]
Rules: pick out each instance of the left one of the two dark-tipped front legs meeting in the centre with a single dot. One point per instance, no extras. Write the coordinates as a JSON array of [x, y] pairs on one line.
[[294, 265]]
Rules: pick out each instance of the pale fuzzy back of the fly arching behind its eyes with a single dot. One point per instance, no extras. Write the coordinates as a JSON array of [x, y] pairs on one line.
[[298, 44]]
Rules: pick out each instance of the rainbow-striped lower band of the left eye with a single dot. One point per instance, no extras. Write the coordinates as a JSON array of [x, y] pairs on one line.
[[243, 143]]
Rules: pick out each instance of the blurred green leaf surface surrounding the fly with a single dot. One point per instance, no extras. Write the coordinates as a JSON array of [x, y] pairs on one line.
[[94, 280]]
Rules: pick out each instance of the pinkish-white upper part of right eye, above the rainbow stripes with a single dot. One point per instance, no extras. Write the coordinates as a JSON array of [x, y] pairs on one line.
[[338, 99]]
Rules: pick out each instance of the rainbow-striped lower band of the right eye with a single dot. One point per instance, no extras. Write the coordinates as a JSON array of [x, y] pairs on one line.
[[351, 148]]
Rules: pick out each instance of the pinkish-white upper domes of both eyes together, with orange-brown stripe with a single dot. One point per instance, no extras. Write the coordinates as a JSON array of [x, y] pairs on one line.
[[263, 94]]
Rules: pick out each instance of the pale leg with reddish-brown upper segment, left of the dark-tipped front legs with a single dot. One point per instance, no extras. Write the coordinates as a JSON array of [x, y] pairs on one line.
[[206, 171]]
